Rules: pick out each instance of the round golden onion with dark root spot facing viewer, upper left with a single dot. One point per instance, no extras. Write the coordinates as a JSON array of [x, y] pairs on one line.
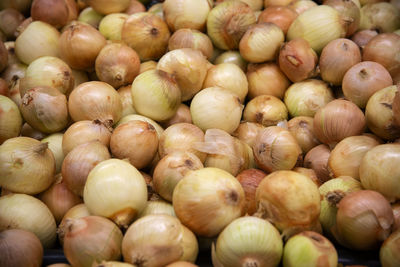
[[147, 34]]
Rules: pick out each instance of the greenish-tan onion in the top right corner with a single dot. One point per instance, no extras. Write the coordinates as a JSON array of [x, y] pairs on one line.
[[383, 17]]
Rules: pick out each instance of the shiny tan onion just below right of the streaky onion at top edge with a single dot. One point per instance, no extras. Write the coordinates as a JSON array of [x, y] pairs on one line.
[[261, 42]]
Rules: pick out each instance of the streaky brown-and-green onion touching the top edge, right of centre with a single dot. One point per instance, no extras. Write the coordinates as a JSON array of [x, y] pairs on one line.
[[227, 23]]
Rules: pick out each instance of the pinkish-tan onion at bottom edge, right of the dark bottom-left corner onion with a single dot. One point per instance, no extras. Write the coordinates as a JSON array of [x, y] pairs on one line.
[[90, 240]]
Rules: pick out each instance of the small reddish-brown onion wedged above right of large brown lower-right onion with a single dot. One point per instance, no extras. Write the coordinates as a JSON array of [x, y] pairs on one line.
[[317, 159]]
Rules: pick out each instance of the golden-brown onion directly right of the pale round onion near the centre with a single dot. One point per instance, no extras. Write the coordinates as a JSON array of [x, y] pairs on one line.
[[266, 110]]
